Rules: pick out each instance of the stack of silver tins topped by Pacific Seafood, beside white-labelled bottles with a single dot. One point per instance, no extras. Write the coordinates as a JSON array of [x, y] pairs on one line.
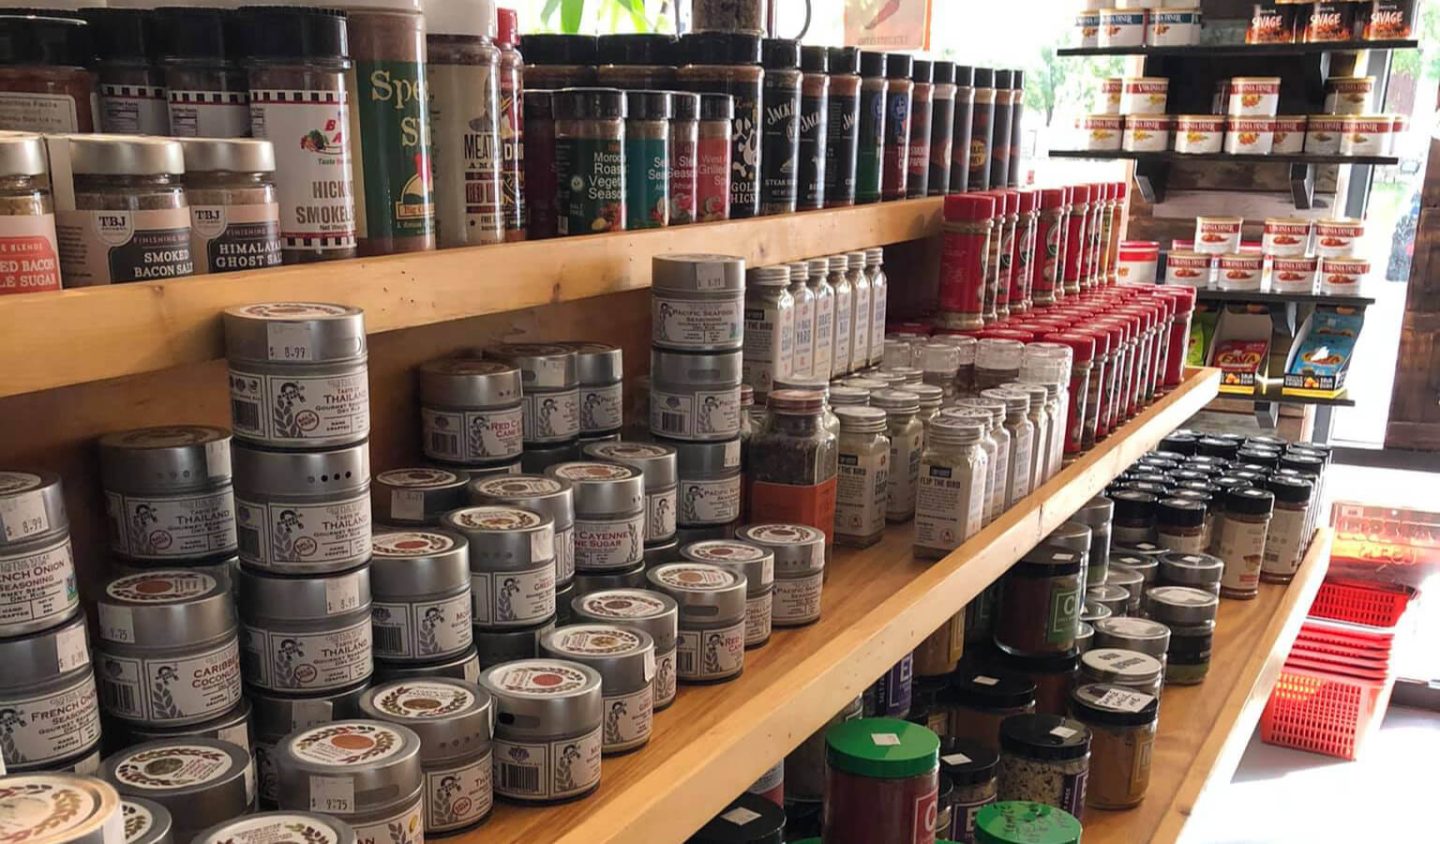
[[698, 325]]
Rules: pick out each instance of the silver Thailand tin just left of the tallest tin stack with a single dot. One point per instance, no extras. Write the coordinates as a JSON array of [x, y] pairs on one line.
[[168, 493]]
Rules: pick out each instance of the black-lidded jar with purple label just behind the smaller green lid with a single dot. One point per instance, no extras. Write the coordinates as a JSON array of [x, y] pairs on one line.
[[1045, 758]]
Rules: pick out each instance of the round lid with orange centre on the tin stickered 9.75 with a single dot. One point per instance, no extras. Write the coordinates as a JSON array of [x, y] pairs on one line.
[[351, 767]]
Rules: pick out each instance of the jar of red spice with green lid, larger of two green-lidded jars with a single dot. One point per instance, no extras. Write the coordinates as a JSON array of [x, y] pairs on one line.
[[883, 783]]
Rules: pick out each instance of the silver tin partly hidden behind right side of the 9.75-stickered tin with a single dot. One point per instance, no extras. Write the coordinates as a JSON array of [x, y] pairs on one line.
[[454, 721]]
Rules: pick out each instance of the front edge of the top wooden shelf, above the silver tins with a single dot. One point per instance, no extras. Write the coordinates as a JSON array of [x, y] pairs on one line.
[[89, 335]]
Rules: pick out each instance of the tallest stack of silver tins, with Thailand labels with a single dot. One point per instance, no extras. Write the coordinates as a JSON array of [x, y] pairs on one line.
[[300, 405]]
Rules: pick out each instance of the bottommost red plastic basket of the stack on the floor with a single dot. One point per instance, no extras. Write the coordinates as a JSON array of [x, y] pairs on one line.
[[1324, 714]]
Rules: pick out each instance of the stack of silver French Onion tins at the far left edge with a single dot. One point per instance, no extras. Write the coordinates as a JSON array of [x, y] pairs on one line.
[[50, 714]]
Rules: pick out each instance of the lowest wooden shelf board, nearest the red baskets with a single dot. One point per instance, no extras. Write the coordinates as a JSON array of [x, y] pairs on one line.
[[1205, 729]]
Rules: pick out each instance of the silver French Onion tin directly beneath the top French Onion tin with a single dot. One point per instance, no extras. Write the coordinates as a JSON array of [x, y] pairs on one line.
[[48, 705]]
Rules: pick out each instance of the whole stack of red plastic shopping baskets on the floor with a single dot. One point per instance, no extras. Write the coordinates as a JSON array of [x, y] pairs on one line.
[[1337, 682]]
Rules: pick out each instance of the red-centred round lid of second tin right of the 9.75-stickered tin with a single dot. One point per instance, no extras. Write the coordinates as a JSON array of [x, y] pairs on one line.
[[545, 698]]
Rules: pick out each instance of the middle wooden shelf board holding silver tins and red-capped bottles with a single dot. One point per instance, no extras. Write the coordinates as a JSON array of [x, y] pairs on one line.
[[881, 603]]
